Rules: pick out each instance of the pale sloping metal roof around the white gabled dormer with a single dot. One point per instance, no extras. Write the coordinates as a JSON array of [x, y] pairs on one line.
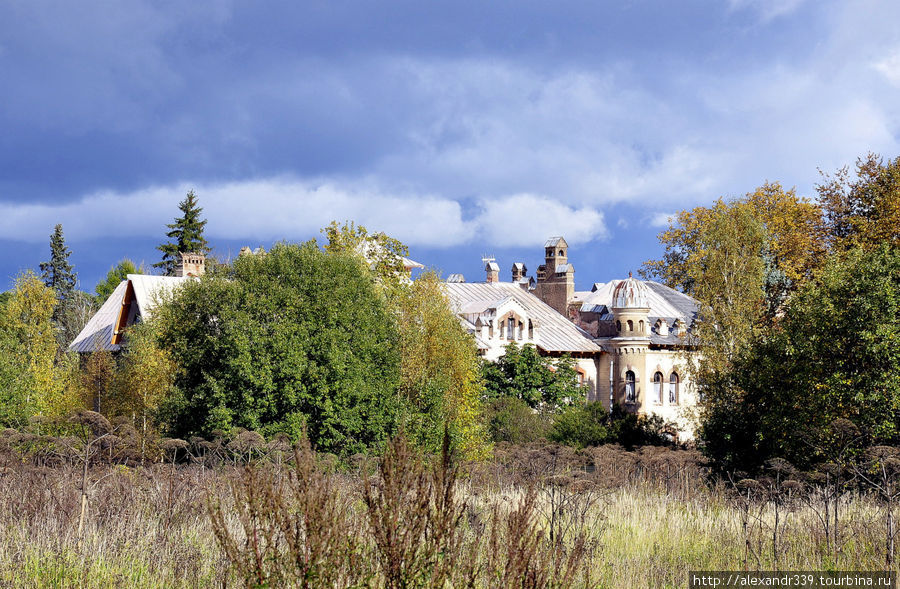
[[554, 333]]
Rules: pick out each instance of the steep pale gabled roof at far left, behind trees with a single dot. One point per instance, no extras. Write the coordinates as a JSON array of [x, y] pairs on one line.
[[98, 334]]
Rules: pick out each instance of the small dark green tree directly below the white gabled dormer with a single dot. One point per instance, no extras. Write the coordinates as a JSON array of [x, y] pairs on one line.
[[542, 383]]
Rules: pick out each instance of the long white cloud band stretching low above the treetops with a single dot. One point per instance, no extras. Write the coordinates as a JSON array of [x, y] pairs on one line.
[[292, 209]]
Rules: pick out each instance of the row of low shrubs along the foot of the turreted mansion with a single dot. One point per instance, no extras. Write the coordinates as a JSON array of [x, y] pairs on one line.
[[590, 424]]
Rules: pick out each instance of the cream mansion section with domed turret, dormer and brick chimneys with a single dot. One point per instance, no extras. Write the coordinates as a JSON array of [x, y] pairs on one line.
[[630, 338]]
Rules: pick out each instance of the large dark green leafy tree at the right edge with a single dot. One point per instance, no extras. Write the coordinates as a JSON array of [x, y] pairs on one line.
[[835, 354]]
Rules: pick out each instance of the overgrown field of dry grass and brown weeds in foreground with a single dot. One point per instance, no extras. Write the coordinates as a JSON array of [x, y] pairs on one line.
[[534, 516]]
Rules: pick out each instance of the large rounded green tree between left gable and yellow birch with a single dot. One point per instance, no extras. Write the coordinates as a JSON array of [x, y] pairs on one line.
[[290, 339]]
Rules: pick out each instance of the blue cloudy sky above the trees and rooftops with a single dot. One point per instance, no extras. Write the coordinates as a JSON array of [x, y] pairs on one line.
[[463, 128]]
